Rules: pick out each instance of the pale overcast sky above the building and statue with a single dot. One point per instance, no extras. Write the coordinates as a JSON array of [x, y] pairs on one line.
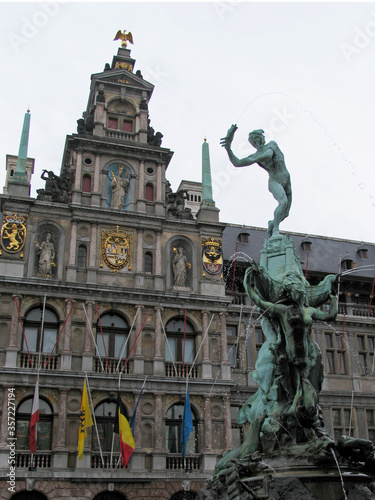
[[303, 72]]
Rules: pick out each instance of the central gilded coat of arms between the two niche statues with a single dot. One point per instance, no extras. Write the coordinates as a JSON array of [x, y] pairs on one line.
[[116, 248]]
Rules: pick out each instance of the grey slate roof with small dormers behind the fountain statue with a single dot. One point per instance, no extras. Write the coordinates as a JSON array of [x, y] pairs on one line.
[[324, 256]]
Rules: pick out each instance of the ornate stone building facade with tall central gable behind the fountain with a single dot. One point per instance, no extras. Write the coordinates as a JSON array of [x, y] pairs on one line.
[[112, 263]]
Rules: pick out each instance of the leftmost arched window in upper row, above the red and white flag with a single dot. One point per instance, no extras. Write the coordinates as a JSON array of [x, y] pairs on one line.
[[33, 326]]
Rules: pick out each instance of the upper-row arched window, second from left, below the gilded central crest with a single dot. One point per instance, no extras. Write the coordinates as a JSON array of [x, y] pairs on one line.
[[115, 333]]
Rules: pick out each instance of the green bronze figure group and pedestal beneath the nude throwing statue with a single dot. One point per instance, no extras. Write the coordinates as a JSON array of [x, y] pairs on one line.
[[284, 413]]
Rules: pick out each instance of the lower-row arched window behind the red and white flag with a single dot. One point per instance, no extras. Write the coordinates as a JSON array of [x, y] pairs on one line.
[[45, 425]]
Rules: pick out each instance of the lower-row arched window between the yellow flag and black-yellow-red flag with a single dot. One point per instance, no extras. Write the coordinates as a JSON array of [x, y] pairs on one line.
[[105, 415]]
